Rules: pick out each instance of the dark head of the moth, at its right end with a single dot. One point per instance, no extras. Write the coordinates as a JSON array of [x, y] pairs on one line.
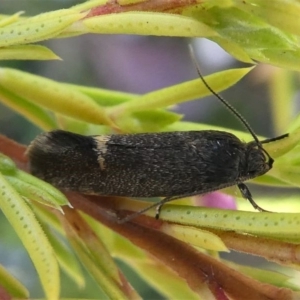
[[257, 161]]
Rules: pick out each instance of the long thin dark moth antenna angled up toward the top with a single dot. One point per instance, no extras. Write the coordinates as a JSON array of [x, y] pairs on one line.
[[229, 106]]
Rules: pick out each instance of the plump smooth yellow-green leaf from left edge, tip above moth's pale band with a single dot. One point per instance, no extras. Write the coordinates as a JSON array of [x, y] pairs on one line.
[[53, 95]]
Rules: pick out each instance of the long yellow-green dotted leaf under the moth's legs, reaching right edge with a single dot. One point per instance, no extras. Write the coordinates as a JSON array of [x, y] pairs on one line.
[[263, 223]]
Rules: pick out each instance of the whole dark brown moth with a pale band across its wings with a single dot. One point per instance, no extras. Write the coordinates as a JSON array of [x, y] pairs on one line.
[[168, 164]]
